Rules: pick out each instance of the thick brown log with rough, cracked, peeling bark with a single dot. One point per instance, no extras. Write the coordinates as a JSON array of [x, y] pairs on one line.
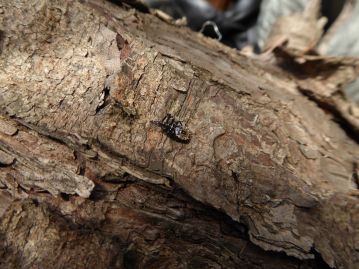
[[80, 83]]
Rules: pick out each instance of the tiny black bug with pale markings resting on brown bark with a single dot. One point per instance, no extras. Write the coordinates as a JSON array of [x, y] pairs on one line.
[[174, 129]]
